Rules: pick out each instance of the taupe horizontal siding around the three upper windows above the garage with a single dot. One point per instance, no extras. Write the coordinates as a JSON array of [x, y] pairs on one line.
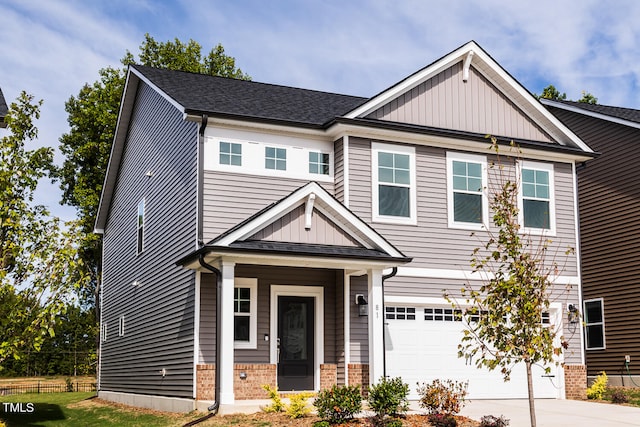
[[431, 242]]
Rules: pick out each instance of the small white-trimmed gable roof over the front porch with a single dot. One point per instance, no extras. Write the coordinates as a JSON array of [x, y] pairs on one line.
[[372, 246]]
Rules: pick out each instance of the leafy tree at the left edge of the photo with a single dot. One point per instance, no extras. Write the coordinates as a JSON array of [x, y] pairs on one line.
[[39, 264]]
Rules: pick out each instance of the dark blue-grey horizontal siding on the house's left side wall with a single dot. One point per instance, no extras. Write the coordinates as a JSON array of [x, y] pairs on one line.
[[159, 311]]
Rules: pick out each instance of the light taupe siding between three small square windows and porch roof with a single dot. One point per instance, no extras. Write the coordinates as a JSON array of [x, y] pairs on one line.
[[230, 198]]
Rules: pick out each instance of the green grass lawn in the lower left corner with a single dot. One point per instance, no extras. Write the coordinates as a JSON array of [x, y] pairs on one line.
[[72, 409]]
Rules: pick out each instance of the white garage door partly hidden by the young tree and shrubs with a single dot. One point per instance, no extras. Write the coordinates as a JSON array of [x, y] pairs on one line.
[[422, 345]]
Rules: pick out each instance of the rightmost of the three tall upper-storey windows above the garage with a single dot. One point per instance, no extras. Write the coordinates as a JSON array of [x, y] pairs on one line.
[[537, 197]]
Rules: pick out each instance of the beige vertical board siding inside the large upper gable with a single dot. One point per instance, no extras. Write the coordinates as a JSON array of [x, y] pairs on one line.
[[446, 101]]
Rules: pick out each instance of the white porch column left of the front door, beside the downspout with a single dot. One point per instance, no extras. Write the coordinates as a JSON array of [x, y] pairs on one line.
[[225, 369]]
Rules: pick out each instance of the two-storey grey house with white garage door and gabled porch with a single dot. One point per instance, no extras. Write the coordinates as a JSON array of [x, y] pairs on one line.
[[261, 234]]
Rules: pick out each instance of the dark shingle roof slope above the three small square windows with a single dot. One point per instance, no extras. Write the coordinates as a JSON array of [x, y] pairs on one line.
[[199, 94]]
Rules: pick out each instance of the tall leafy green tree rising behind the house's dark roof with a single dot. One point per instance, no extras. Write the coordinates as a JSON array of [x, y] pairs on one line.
[[92, 116]]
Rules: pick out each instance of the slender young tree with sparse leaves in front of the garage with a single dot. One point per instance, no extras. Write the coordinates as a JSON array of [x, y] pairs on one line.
[[507, 309]]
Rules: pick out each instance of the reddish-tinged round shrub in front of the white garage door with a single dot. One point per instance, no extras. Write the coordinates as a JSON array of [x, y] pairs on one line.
[[442, 397]]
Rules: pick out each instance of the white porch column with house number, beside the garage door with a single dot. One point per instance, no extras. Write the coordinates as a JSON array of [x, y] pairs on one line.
[[376, 327]]
